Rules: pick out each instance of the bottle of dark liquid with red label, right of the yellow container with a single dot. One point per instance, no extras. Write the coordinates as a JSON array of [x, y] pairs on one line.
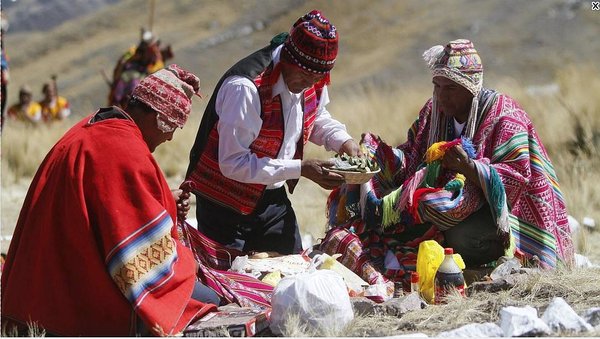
[[448, 277]]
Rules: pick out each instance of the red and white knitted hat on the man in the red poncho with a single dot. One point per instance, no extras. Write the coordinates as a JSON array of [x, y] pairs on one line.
[[169, 91]]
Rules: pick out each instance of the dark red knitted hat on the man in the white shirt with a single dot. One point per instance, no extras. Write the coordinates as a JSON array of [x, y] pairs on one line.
[[312, 43]]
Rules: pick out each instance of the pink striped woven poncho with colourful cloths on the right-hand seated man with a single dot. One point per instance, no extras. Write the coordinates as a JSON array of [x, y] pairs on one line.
[[518, 180]]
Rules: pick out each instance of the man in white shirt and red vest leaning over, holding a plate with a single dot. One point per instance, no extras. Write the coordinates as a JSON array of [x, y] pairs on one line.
[[251, 139]]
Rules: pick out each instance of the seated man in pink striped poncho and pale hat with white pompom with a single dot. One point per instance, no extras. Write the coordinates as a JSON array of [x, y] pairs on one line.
[[472, 175]]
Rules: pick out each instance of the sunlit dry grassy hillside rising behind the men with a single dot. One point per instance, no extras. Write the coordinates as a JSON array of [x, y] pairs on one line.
[[540, 52]]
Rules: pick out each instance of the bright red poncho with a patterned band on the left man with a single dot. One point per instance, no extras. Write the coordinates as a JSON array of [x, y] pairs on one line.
[[95, 248]]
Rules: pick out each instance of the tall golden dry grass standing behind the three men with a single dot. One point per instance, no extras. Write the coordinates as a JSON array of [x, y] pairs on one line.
[[568, 122]]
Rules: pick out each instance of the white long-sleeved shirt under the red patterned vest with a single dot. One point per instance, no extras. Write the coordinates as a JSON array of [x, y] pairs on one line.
[[238, 107]]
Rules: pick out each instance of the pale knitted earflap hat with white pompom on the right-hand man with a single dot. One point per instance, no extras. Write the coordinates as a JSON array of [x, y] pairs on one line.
[[459, 62]]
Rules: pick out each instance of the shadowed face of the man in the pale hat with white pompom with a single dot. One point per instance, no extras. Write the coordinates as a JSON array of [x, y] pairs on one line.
[[453, 100]]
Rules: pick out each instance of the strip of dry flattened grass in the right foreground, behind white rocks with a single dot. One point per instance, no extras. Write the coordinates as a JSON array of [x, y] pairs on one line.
[[578, 287]]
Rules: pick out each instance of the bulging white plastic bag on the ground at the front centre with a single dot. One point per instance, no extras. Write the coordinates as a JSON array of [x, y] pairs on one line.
[[319, 299]]
